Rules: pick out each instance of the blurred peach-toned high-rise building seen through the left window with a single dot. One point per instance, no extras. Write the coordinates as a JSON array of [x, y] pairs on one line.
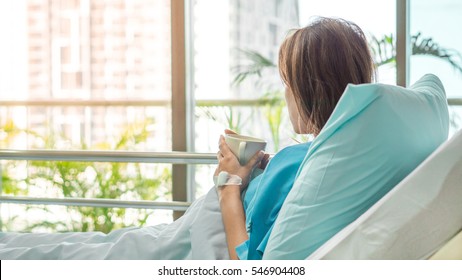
[[97, 50]]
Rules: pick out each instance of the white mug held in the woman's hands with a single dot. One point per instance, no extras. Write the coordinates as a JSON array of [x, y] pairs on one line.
[[244, 147]]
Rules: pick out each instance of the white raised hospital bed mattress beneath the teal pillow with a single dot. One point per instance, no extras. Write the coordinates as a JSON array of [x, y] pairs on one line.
[[414, 219]]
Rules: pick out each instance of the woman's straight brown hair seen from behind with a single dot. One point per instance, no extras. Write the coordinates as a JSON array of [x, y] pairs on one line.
[[318, 61]]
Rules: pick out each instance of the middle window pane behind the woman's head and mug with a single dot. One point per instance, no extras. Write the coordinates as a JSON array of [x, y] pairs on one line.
[[232, 37]]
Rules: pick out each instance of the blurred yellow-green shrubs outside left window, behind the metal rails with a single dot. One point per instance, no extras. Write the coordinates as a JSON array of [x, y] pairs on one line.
[[108, 180]]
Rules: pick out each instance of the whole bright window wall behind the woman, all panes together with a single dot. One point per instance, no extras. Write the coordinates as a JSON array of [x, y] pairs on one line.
[[162, 76]]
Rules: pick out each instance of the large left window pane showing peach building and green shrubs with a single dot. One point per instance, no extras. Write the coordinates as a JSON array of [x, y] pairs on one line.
[[64, 64]]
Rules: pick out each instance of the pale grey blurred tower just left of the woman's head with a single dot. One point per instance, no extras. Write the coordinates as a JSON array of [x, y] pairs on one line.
[[259, 26]]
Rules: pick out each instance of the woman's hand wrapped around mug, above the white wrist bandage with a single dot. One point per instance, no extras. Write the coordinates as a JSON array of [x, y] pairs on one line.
[[228, 162]]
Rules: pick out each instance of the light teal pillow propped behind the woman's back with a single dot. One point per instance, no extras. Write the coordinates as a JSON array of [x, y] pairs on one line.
[[376, 136]]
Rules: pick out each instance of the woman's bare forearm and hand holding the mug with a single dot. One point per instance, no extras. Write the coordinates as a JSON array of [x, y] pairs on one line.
[[232, 210]]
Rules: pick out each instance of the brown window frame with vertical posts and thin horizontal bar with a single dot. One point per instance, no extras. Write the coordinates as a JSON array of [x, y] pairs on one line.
[[183, 102]]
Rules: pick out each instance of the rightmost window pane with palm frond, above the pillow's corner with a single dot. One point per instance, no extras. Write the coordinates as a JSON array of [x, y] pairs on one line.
[[435, 27]]
